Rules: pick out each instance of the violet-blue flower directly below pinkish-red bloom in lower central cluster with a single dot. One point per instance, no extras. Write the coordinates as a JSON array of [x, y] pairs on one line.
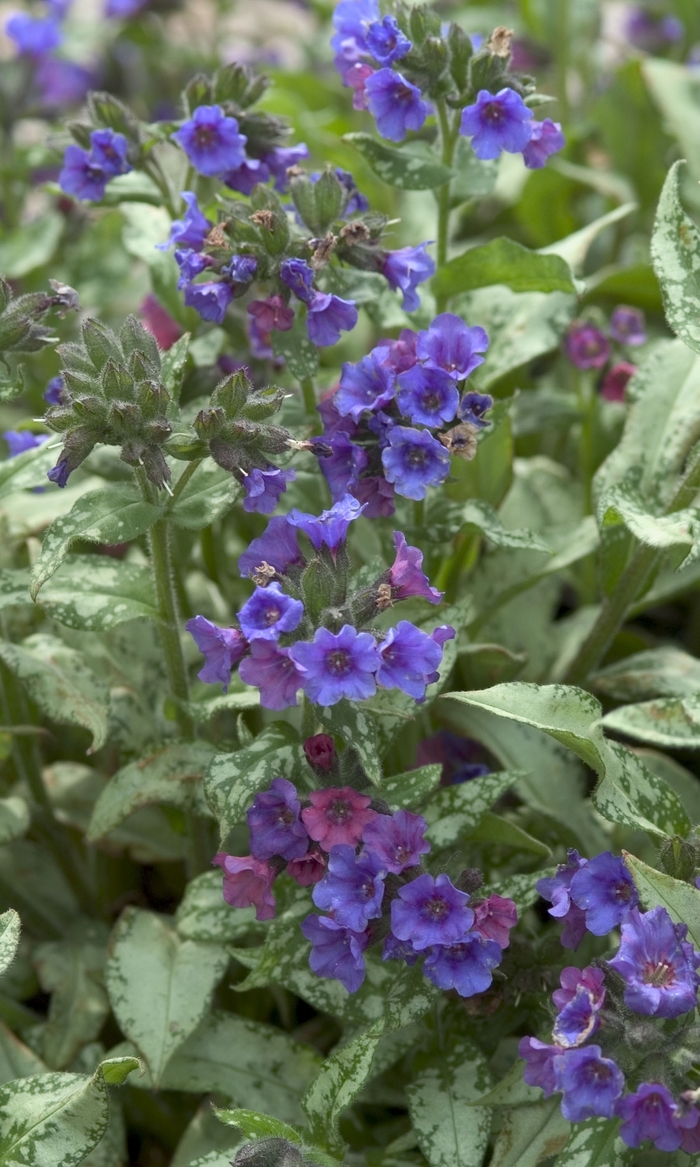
[[353, 888]]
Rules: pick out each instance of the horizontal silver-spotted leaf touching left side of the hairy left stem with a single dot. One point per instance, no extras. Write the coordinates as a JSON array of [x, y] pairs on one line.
[[94, 593]]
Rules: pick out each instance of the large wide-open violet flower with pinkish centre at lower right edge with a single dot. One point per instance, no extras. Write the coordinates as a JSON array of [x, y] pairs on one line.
[[657, 965]]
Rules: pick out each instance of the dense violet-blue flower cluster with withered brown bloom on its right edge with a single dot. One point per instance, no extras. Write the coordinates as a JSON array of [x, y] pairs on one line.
[[402, 411]]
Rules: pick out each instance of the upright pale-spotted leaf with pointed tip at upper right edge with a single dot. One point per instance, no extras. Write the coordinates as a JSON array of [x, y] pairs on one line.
[[676, 257]]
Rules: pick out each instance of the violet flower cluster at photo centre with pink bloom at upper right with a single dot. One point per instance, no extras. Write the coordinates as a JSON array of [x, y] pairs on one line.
[[303, 630]]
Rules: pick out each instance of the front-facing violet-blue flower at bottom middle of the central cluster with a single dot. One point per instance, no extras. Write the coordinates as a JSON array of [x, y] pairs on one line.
[[334, 667]]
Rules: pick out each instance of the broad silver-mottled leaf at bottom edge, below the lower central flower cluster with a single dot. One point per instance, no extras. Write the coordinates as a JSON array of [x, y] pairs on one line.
[[451, 1133]]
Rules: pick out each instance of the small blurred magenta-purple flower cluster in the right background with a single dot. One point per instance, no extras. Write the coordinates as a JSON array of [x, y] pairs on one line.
[[589, 347]]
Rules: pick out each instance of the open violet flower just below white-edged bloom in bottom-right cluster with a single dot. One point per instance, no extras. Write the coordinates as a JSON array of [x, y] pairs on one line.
[[591, 1084]]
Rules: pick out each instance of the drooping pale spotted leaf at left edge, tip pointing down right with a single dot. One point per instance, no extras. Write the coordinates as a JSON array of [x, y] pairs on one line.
[[61, 683]]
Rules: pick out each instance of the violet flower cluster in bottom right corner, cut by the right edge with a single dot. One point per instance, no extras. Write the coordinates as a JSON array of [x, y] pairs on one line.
[[620, 1049]]
